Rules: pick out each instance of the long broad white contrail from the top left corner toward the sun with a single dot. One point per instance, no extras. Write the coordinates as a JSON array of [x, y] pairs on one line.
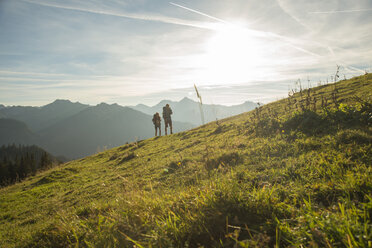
[[162, 19]]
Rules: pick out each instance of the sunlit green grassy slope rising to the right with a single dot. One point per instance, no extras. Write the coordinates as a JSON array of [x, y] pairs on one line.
[[287, 178]]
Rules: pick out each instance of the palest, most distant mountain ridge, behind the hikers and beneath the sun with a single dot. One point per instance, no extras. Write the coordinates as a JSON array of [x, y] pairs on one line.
[[188, 110]]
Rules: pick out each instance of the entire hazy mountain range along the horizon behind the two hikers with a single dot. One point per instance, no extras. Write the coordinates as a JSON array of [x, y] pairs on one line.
[[75, 130]]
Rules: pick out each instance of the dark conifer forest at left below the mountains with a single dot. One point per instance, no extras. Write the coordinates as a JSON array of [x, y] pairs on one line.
[[19, 161]]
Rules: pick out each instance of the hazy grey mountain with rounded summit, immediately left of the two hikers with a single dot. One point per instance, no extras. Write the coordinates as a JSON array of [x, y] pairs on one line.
[[100, 127]]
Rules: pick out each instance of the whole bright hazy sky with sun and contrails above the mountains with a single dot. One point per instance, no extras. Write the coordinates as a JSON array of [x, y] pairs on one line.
[[143, 51]]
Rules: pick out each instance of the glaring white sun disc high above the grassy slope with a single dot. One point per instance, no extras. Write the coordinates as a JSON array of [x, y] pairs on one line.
[[233, 54]]
